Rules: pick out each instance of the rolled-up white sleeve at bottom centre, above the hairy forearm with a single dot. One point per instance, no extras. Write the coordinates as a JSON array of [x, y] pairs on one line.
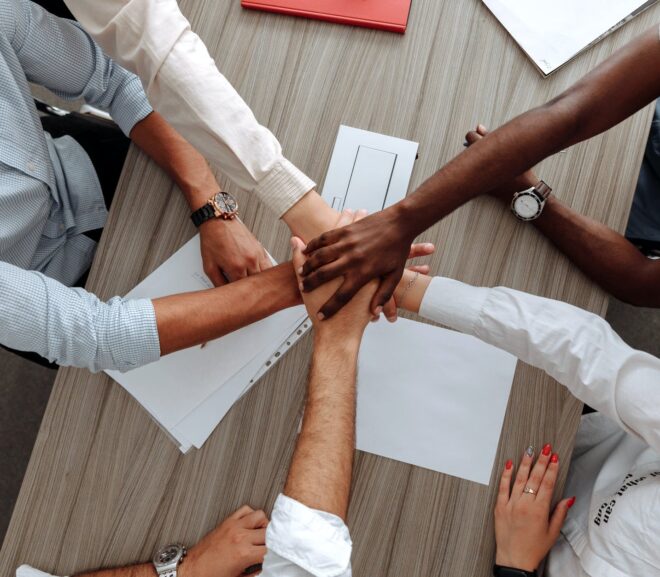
[[304, 542]]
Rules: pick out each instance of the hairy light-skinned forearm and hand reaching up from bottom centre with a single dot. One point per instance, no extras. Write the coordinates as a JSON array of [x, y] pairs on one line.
[[322, 465]]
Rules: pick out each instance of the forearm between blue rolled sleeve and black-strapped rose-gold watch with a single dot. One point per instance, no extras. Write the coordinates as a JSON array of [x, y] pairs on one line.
[[176, 157]]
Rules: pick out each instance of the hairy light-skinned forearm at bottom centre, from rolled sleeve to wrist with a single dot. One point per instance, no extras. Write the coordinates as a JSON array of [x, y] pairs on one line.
[[320, 472]]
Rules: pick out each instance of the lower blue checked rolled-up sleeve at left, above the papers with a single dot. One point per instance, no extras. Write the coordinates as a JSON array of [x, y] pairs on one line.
[[72, 327]]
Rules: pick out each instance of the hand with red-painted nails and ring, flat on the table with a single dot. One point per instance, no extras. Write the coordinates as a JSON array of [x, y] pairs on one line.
[[526, 528]]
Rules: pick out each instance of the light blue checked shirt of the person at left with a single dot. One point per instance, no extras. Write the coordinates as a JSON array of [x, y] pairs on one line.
[[50, 195]]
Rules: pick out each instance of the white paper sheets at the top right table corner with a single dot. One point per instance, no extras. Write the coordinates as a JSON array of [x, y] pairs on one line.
[[552, 32]]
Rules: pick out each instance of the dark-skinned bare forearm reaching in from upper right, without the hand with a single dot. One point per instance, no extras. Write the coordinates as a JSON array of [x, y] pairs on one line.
[[613, 91]]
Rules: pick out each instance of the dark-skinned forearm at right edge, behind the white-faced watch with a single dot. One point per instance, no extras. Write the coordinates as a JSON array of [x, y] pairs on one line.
[[604, 255]]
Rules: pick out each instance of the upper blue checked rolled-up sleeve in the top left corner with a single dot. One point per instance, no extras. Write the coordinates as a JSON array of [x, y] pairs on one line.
[[60, 55]]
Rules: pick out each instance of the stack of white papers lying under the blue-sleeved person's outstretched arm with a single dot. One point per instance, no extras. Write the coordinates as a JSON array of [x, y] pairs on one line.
[[189, 392]]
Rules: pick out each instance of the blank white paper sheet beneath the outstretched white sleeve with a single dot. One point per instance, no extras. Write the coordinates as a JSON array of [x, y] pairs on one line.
[[432, 397]]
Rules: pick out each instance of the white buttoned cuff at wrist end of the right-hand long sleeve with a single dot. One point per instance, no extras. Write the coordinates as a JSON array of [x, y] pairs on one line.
[[453, 304]]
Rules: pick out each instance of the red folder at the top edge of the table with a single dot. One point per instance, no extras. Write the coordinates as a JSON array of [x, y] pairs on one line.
[[391, 15]]
